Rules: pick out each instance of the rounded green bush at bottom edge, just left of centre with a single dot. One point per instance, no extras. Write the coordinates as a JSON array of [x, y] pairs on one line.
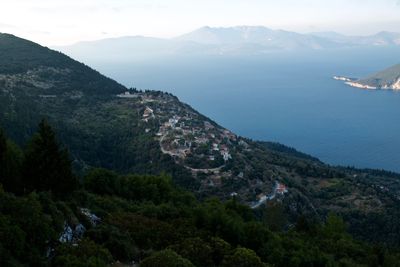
[[166, 258]]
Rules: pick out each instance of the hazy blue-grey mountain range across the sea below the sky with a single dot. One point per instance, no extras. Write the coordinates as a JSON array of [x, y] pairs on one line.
[[221, 41]]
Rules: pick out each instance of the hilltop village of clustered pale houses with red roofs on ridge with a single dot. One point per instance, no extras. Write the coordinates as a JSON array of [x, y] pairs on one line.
[[201, 146]]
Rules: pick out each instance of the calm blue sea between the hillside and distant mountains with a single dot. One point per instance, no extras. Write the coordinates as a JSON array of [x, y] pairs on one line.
[[287, 97]]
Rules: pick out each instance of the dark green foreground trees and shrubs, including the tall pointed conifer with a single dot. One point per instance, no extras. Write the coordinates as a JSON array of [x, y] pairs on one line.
[[149, 220]]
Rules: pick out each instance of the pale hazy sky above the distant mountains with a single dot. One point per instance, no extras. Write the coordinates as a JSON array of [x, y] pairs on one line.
[[55, 22]]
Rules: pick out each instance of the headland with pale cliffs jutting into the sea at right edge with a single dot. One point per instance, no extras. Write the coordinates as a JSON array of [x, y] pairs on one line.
[[386, 79]]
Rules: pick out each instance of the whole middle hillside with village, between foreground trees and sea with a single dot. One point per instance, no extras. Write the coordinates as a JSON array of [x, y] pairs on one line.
[[103, 124]]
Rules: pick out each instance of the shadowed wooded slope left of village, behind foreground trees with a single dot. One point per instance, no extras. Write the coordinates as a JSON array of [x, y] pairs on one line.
[[99, 129]]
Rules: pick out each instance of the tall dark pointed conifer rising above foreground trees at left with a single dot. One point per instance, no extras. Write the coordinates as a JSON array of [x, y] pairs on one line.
[[47, 167]]
